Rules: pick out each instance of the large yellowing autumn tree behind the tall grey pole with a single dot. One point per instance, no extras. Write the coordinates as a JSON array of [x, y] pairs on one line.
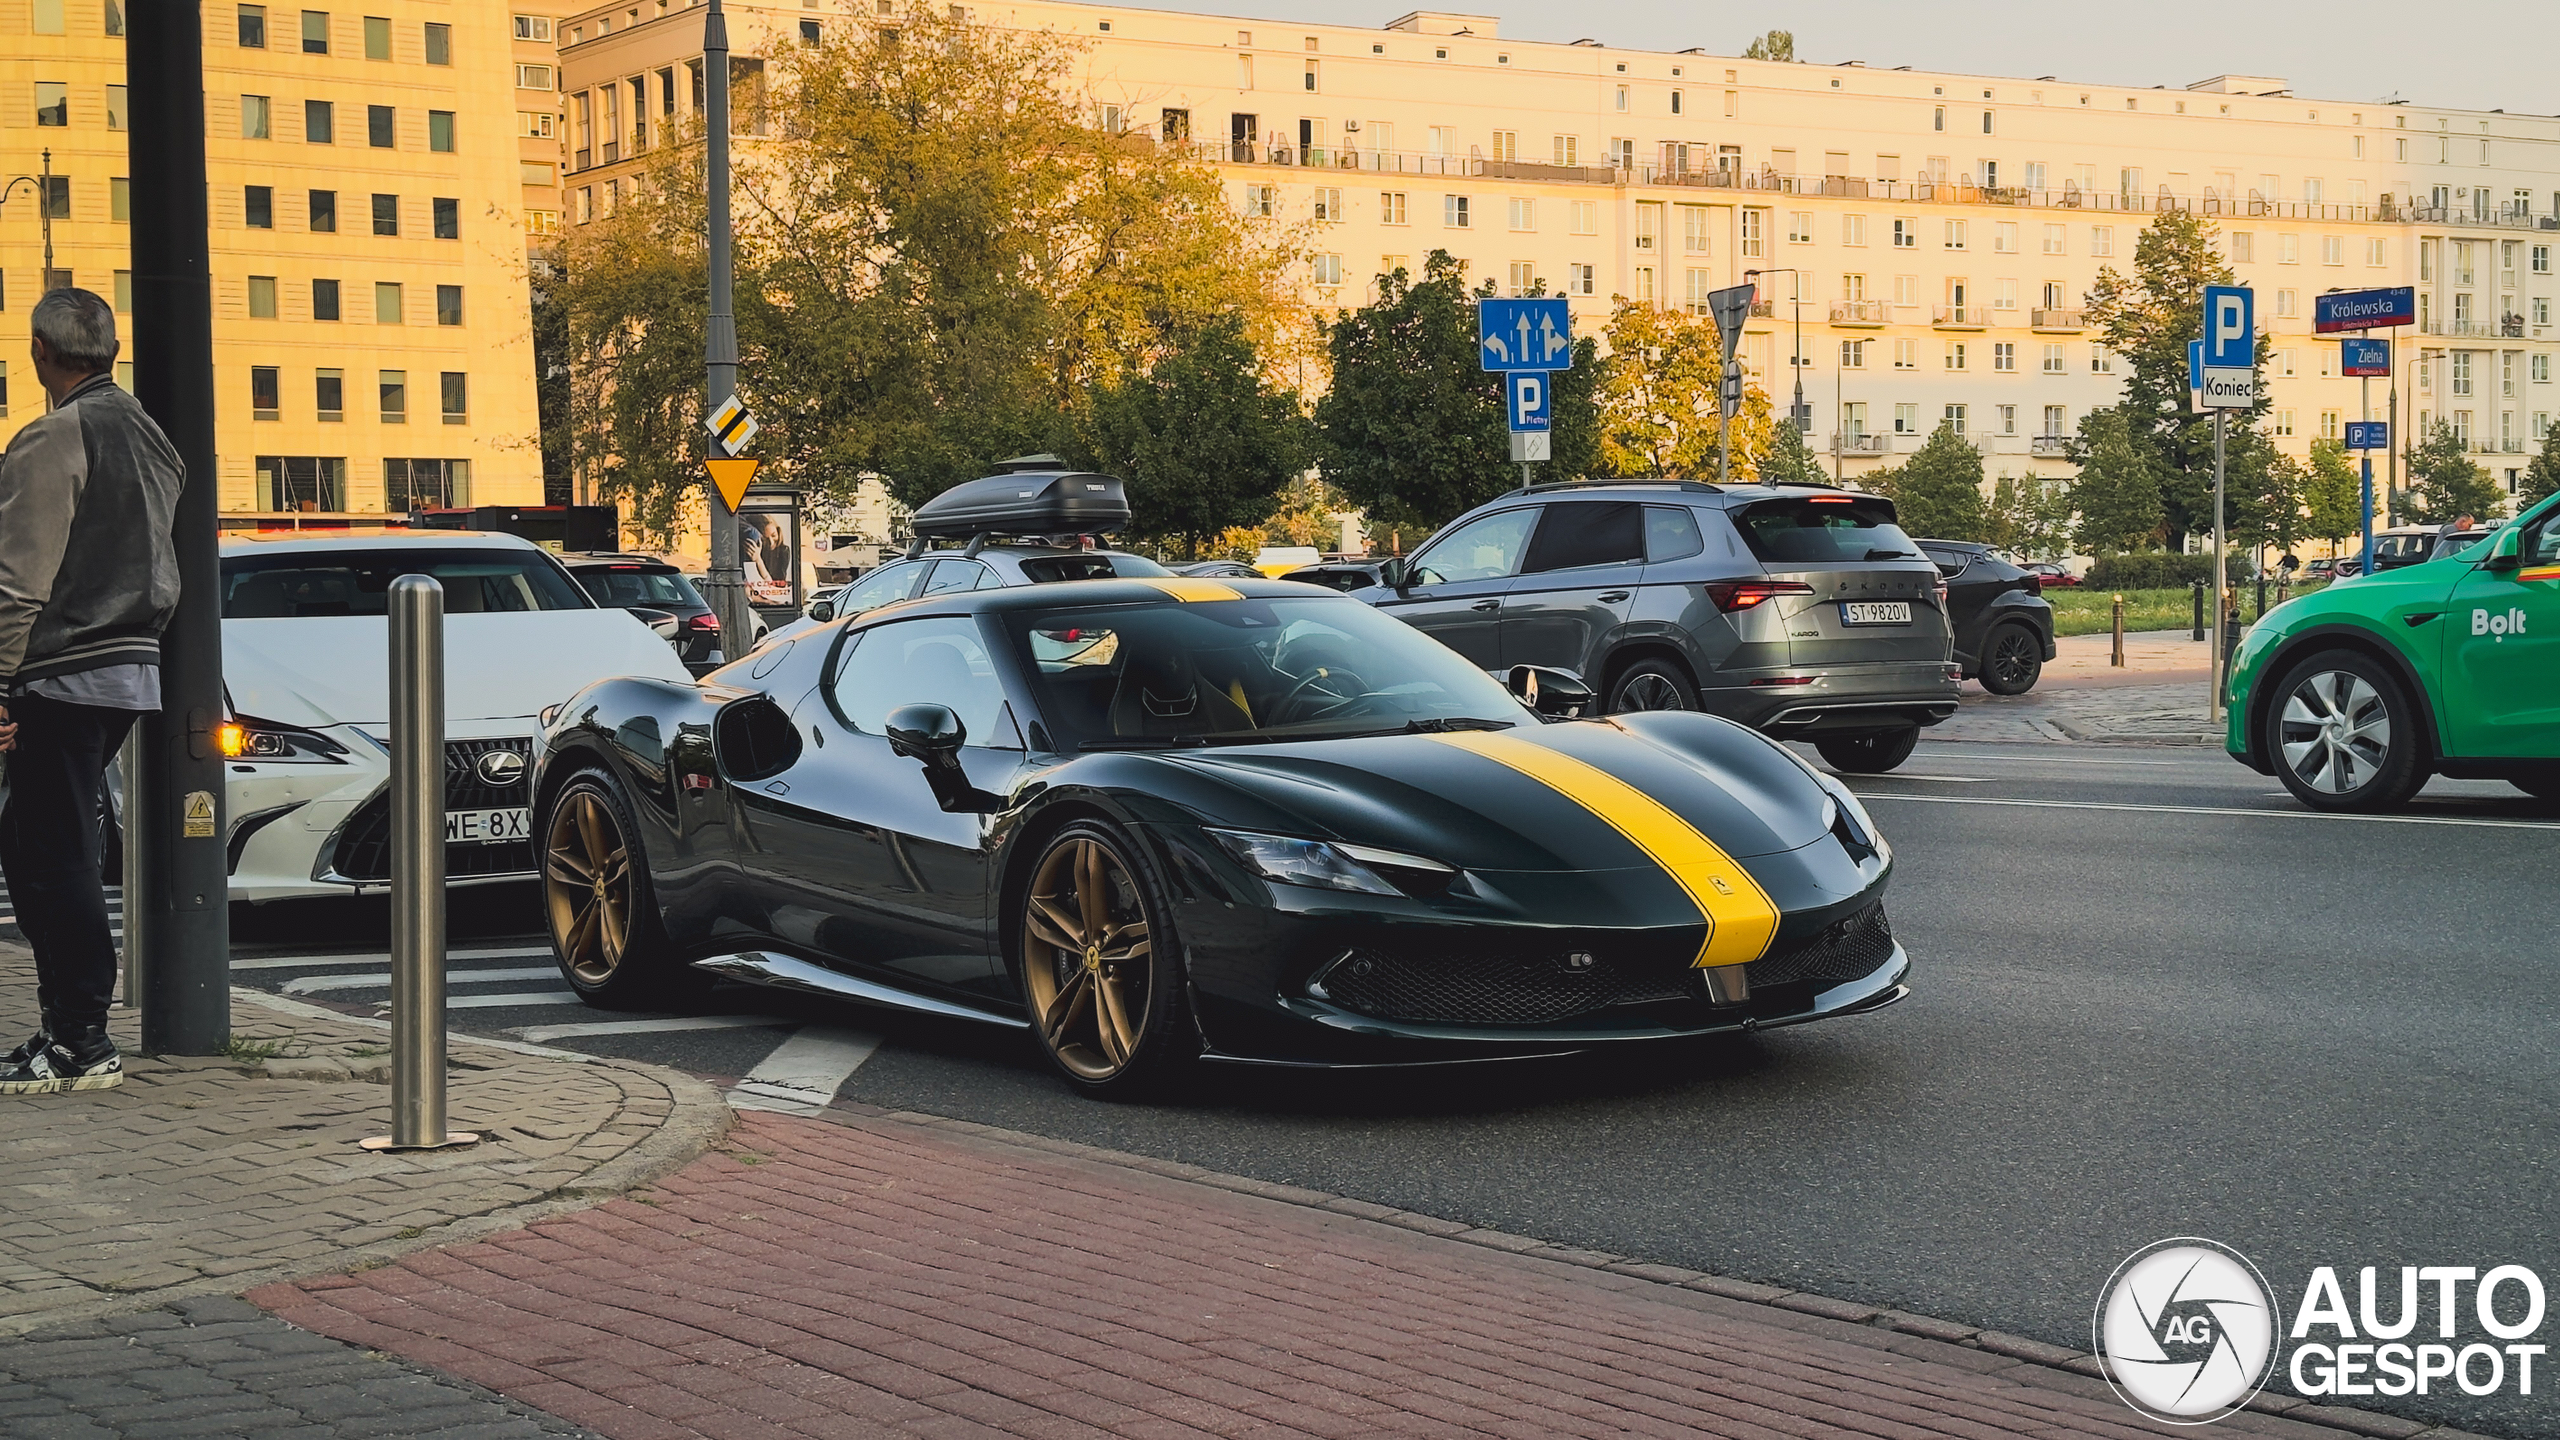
[[938, 255]]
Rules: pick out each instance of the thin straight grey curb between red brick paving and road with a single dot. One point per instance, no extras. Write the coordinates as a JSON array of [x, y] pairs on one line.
[[2036, 1362]]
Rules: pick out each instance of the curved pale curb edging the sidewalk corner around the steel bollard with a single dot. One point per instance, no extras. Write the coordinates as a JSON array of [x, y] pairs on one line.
[[698, 1118]]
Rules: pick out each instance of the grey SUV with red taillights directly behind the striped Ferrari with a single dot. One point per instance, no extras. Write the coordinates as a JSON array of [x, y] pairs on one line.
[[1798, 611]]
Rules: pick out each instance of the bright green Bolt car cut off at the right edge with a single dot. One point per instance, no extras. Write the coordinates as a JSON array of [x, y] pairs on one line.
[[2356, 693]]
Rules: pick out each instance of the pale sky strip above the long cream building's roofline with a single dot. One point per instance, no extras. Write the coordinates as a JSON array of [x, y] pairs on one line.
[[2487, 55]]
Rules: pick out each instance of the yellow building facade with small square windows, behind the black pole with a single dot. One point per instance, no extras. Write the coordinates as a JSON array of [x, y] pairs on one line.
[[372, 342]]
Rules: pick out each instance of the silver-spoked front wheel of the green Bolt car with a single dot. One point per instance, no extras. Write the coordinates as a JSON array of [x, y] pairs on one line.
[[2344, 734]]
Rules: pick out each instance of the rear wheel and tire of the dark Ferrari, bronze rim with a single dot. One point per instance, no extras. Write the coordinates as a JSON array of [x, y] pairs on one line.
[[600, 908]]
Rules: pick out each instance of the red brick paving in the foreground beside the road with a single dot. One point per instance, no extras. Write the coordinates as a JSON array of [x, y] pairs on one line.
[[861, 1277]]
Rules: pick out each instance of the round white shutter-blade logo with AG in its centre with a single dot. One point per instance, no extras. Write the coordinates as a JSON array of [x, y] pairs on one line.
[[2188, 1331]]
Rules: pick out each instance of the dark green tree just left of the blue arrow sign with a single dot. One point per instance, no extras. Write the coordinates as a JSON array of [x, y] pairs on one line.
[[1414, 427]]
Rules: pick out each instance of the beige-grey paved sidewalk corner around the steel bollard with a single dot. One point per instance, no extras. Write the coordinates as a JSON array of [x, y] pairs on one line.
[[211, 1175]]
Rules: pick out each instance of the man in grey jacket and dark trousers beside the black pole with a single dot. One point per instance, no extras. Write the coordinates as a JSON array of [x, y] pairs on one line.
[[88, 580]]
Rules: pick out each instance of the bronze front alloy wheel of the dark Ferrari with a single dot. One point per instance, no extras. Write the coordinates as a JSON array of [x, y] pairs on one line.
[[1087, 960]]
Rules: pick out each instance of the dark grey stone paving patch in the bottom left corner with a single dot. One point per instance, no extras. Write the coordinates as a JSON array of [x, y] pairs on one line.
[[227, 1370]]
